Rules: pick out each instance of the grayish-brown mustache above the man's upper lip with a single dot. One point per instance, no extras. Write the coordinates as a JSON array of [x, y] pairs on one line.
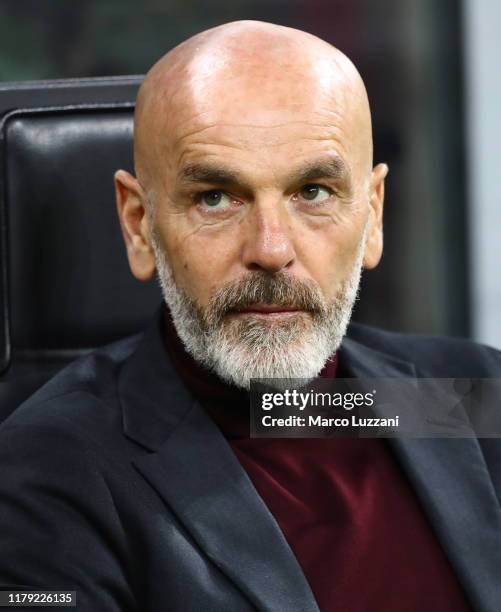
[[280, 289]]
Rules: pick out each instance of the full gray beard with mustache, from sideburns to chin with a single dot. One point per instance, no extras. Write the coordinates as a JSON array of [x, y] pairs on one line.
[[239, 349]]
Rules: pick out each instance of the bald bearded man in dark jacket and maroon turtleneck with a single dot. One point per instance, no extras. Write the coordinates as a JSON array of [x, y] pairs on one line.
[[130, 477]]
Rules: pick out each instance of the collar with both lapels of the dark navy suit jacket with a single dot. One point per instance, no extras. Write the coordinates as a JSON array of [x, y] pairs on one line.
[[193, 468]]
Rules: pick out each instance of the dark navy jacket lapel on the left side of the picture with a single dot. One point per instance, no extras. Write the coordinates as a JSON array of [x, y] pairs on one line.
[[194, 470]]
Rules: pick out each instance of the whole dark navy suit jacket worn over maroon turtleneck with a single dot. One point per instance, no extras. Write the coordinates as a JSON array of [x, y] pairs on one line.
[[115, 483]]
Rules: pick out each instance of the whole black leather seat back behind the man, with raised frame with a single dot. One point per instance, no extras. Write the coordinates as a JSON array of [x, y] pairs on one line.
[[65, 286]]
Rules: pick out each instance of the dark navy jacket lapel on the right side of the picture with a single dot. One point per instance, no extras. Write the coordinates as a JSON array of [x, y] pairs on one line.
[[452, 482]]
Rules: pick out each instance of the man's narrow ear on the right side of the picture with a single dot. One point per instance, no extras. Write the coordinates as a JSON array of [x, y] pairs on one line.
[[374, 246]]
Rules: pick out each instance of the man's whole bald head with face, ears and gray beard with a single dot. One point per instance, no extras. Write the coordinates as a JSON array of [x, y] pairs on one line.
[[253, 154]]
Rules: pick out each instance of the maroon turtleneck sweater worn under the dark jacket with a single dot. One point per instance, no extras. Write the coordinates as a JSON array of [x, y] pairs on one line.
[[343, 505]]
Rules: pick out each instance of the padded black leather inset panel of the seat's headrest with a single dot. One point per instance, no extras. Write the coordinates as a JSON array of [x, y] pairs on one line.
[[70, 286]]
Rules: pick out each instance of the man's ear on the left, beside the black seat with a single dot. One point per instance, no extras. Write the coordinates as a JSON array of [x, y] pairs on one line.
[[131, 207]]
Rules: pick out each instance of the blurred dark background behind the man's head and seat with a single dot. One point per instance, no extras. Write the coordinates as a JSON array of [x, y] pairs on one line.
[[408, 51]]
